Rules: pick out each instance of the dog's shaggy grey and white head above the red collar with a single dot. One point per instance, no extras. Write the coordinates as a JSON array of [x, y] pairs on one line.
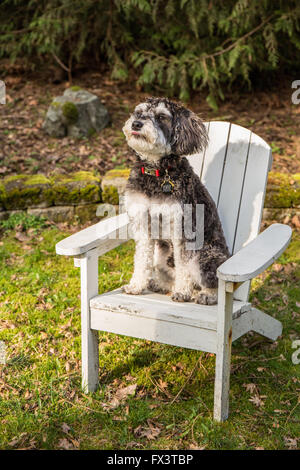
[[159, 127]]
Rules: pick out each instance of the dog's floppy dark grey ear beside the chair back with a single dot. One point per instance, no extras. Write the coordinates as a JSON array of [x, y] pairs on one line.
[[189, 133]]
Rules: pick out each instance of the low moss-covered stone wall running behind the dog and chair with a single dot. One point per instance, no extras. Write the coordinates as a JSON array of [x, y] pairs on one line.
[[76, 196]]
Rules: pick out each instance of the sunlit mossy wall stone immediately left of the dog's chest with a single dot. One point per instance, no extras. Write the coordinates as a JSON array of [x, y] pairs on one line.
[[114, 184]]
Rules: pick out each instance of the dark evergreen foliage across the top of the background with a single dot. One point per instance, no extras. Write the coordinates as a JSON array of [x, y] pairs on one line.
[[178, 45]]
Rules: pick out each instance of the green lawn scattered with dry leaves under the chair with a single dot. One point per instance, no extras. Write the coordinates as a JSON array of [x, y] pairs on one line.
[[41, 403]]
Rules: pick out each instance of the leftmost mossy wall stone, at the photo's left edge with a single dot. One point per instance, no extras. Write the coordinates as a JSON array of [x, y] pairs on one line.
[[23, 191]]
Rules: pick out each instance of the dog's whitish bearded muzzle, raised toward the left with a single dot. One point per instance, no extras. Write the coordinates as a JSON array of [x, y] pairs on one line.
[[150, 143]]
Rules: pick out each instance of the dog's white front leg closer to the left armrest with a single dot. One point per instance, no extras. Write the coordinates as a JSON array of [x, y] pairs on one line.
[[143, 262]]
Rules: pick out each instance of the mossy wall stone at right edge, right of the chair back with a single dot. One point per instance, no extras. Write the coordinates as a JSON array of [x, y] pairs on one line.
[[283, 190]]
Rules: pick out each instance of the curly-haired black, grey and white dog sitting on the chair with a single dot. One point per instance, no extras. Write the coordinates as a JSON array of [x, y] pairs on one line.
[[161, 183]]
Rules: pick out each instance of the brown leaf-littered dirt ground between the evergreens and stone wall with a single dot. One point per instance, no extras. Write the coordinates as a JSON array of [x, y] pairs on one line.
[[25, 148]]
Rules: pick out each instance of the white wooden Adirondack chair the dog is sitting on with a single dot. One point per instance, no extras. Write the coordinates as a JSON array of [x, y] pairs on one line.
[[234, 169]]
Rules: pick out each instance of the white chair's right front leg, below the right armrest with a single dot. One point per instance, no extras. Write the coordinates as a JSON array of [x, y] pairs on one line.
[[223, 355]]
